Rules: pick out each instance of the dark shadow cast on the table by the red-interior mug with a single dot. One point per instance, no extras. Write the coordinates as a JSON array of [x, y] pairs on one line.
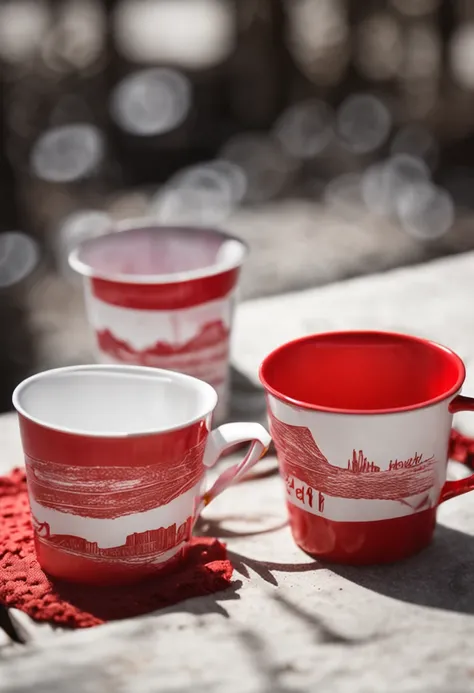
[[441, 576]]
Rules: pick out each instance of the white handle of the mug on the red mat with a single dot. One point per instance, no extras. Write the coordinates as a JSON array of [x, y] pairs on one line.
[[220, 440]]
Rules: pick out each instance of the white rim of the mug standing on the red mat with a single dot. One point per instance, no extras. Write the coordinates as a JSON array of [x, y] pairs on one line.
[[45, 377]]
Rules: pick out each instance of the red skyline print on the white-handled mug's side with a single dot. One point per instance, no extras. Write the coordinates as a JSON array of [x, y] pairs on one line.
[[103, 503]]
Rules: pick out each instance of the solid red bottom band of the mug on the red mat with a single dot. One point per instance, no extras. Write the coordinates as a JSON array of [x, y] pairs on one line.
[[74, 568]]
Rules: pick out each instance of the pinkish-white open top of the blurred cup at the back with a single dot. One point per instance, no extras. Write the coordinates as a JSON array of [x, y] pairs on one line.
[[154, 253]]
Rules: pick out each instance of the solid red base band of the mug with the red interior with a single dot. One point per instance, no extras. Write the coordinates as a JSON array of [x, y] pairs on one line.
[[362, 543]]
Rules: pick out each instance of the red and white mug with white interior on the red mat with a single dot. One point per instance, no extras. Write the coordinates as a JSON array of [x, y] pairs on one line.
[[115, 460]]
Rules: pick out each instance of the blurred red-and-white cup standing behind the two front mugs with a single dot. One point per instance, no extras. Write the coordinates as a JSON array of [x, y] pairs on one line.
[[164, 297]]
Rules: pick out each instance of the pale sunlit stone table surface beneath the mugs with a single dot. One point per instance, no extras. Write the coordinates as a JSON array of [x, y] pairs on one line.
[[289, 623]]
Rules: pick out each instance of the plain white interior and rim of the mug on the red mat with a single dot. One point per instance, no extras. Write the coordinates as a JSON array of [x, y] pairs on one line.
[[113, 400]]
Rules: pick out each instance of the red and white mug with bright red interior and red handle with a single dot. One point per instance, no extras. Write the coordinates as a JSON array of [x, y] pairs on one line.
[[361, 424]]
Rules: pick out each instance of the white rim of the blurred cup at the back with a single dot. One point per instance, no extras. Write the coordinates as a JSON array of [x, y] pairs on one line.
[[131, 226]]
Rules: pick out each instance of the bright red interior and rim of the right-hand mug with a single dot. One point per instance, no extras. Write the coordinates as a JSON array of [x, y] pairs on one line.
[[362, 372]]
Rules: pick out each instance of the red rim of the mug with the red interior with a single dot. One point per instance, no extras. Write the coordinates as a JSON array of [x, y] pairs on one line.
[[449, 353]]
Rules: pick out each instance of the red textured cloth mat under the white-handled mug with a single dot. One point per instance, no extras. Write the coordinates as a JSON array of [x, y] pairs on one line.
[[24, 586]]
